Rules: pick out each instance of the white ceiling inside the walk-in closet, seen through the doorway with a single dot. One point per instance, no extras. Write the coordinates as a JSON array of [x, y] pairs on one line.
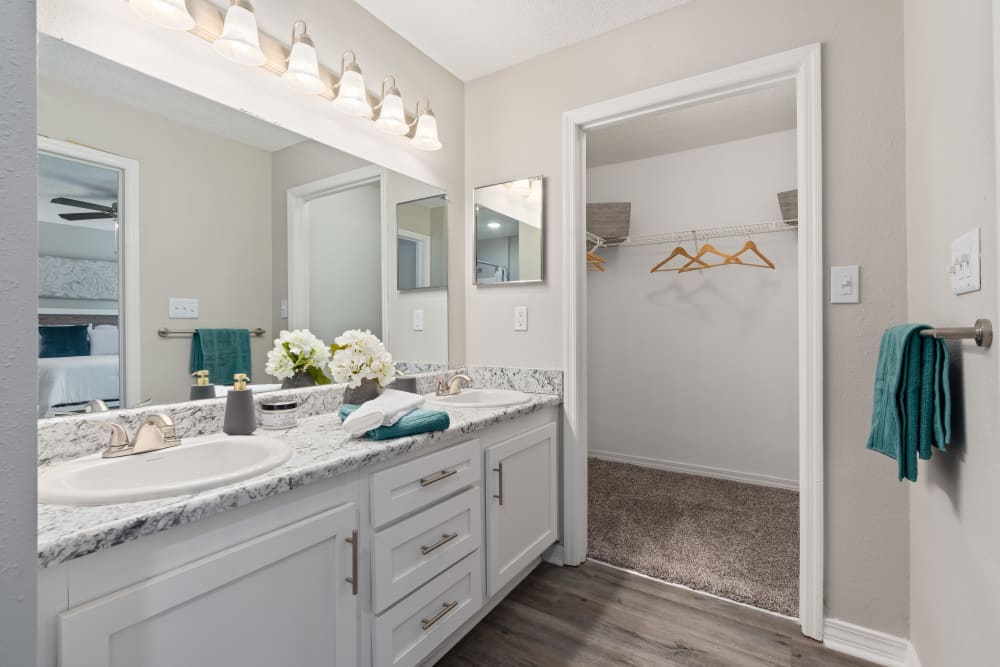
[[729, 119]]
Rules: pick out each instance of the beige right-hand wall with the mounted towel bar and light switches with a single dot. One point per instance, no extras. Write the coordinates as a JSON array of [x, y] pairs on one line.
[[950, 189]]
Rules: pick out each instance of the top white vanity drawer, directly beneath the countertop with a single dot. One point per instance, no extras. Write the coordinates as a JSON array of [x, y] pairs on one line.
[[413, 485]]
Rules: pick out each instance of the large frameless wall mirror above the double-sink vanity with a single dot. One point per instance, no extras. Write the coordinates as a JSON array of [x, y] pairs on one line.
[[162, 213]]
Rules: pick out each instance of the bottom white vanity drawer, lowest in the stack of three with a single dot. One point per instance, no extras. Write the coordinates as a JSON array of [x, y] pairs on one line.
[[410, 631]]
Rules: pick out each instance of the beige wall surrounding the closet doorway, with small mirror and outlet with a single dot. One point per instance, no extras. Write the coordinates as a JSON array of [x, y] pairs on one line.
[[513, 129]]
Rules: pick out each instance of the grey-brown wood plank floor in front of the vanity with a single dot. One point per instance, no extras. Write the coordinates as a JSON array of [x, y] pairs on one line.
[[598, 615]]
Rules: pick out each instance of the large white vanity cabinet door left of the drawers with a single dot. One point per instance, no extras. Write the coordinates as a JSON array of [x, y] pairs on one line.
[[279, 599]]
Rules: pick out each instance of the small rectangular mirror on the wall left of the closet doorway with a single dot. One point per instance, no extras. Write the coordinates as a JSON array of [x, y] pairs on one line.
[[509, 232]]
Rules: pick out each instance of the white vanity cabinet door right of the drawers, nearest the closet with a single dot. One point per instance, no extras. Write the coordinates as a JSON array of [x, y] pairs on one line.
[[521, 500]]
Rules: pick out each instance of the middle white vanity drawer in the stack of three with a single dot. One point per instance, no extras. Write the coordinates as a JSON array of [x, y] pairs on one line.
[[414, 551]]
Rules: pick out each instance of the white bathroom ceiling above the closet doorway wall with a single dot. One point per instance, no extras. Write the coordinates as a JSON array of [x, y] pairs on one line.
[[473, 38]]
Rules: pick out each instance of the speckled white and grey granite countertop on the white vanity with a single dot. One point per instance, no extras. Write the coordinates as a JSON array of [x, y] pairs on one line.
[[321, 450]]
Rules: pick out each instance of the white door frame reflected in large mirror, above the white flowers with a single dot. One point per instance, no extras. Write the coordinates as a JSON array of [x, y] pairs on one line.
[[299, 198]]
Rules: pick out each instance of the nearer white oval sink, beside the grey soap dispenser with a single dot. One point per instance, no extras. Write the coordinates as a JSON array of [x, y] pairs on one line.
[[194, 465]]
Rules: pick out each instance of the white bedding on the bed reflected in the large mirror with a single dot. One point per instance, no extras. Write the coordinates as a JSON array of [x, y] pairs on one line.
[[63, 380]]
